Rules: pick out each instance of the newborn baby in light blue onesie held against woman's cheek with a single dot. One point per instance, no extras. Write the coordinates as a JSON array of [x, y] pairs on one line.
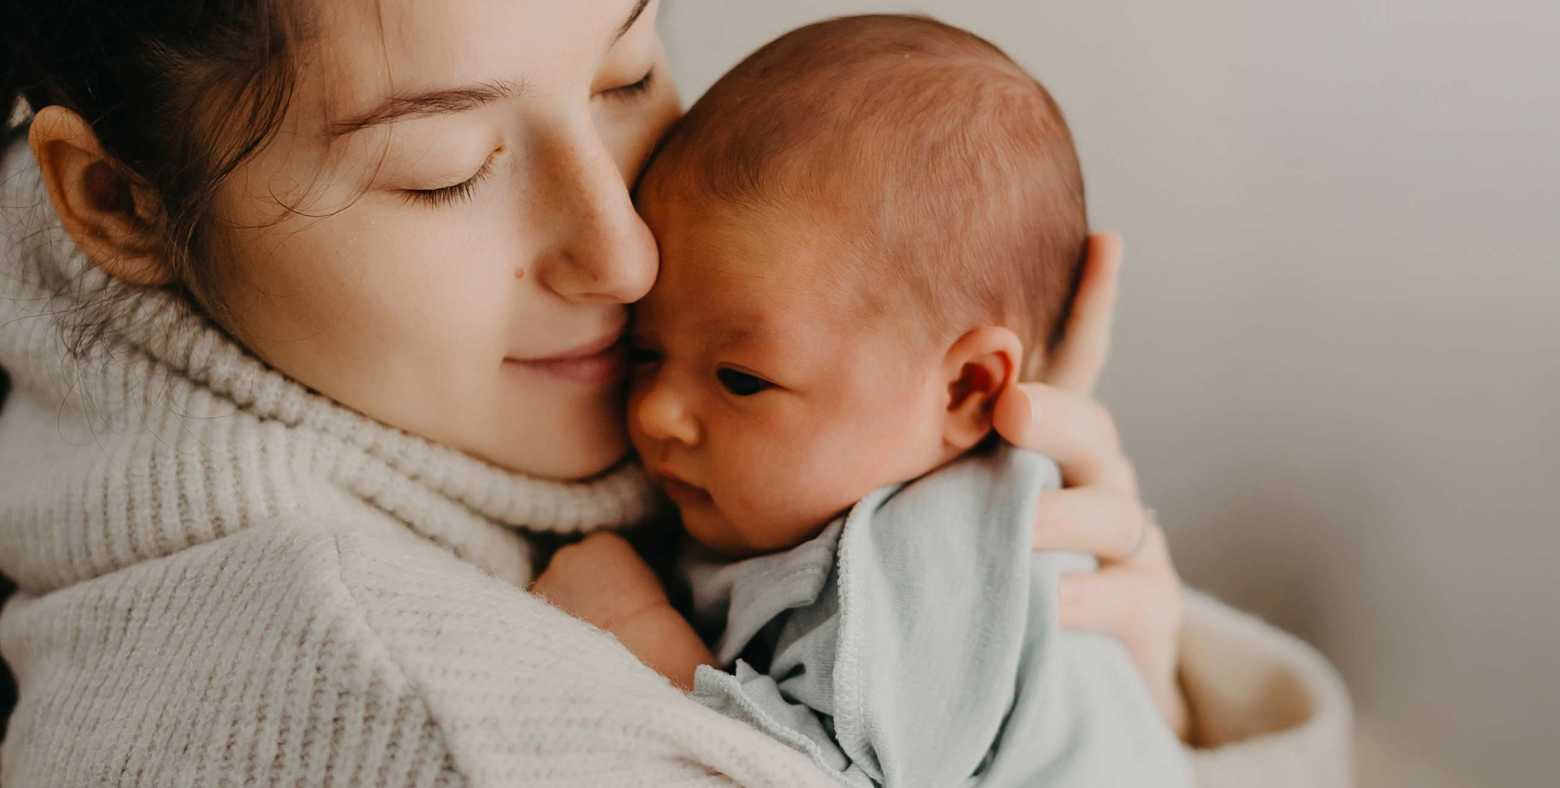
[[868, 230]]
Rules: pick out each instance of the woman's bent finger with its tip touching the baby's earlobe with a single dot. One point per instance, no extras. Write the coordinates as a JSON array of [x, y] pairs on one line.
[[1072, 428]]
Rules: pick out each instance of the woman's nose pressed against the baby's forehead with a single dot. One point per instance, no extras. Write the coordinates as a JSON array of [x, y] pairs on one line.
[[601, 249]]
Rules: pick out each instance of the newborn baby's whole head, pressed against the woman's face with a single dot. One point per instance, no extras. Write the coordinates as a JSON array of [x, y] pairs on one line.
[[868, 230]]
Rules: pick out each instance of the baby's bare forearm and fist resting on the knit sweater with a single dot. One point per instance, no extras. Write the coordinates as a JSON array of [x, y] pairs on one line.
[[606, 583]]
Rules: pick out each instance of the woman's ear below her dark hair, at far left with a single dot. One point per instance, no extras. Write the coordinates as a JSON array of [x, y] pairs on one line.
[[112, 216]]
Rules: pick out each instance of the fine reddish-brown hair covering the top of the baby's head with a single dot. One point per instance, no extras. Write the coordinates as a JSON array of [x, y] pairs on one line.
[[949, 165]]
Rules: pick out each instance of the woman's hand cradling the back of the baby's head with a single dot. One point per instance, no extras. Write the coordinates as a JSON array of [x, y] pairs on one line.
[[1136, 595]]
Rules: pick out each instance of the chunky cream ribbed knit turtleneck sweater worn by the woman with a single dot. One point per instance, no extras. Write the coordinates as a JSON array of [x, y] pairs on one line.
[[227, 580]]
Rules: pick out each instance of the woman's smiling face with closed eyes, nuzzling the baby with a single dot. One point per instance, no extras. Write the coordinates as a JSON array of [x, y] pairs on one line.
[[442, 235]]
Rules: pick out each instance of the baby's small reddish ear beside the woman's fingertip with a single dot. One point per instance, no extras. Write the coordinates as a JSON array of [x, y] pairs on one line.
[[979, 367]]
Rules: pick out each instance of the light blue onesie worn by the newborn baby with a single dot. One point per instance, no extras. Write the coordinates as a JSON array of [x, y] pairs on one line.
[[915, 642]]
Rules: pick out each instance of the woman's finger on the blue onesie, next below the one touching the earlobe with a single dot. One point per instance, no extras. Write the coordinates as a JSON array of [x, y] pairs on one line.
[[1090, 520]]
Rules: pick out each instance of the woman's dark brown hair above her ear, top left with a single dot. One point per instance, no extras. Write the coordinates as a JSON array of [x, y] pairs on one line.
[[179, 93]]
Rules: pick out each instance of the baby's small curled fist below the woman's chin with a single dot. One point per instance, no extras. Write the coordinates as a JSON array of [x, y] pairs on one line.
[[601, 580]]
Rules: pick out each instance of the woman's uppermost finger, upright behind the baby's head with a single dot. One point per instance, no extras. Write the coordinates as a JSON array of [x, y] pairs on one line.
[[1079, 360]]
